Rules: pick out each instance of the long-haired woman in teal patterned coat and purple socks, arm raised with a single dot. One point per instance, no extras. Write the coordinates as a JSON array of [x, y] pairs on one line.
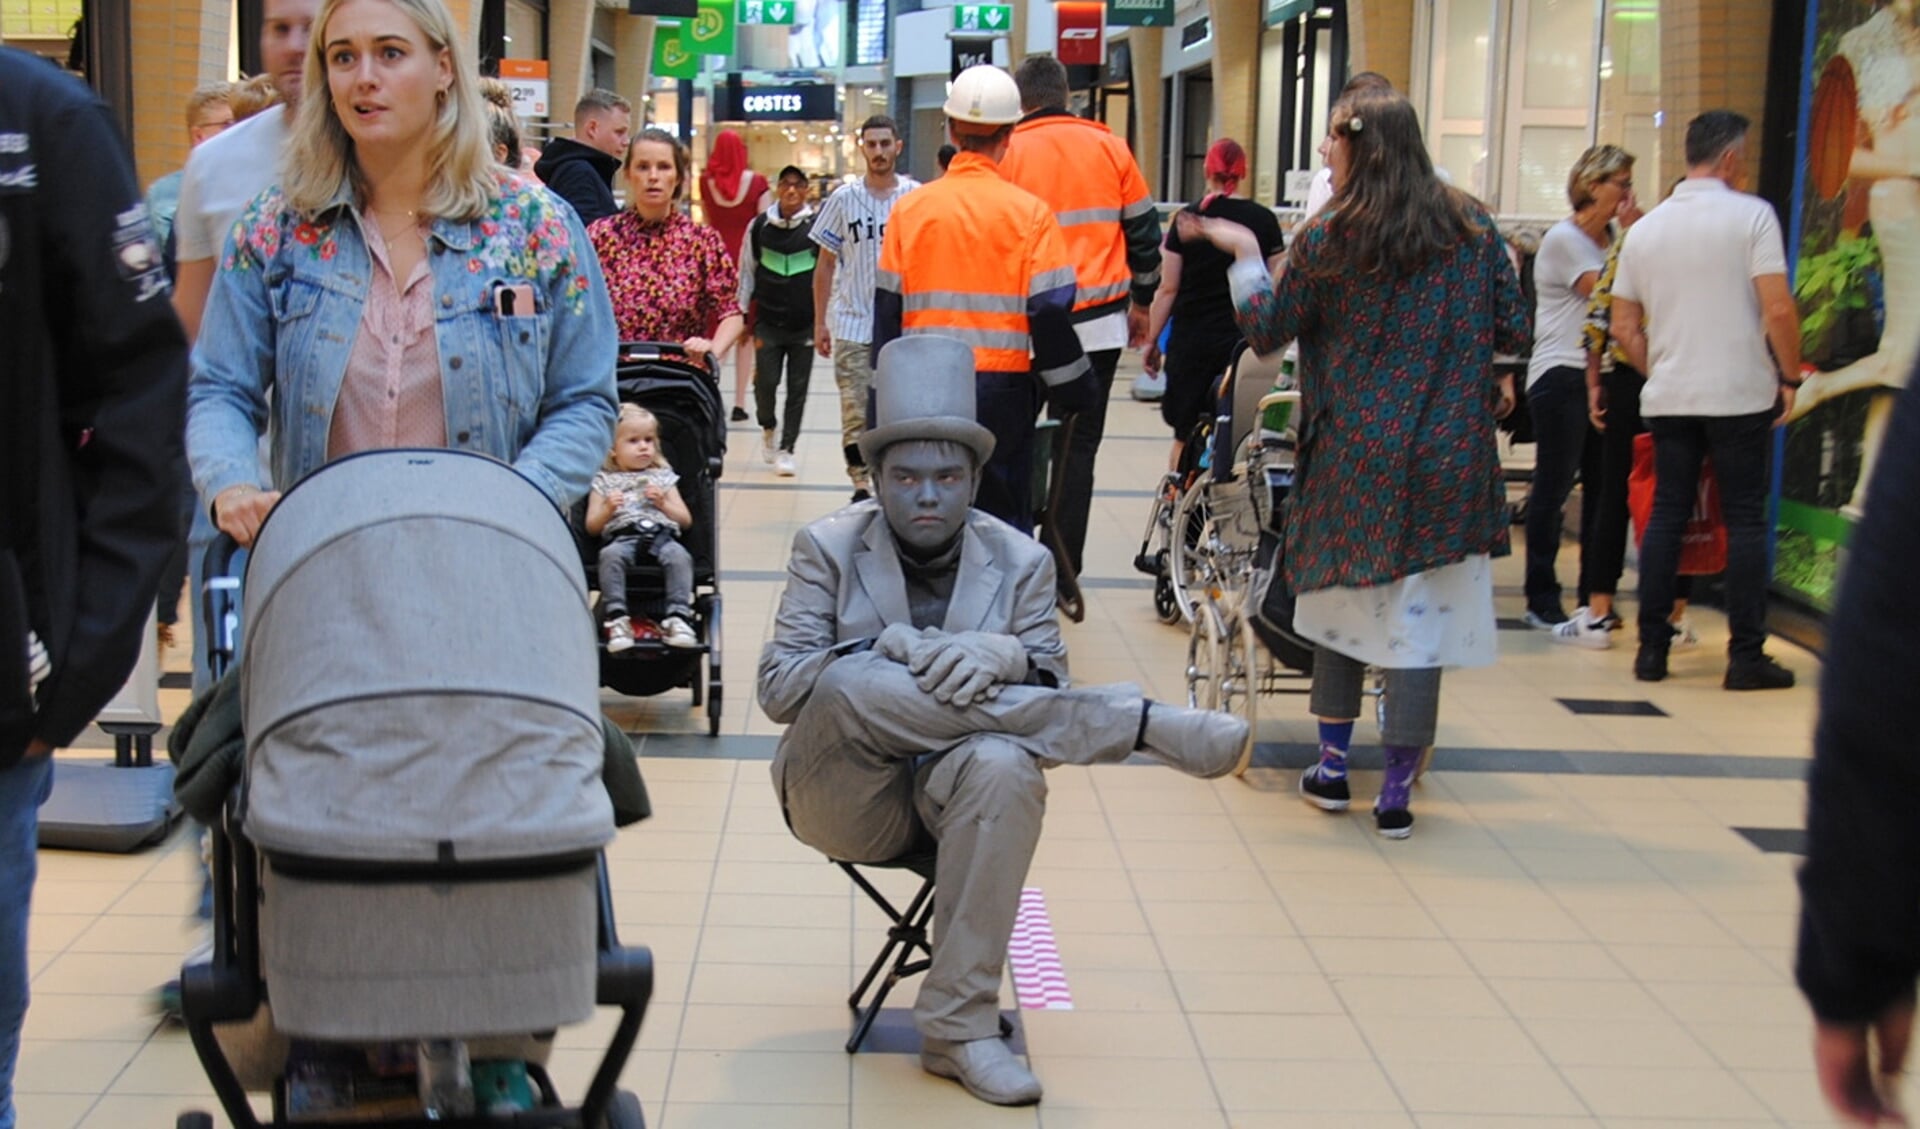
[[1401, 295]]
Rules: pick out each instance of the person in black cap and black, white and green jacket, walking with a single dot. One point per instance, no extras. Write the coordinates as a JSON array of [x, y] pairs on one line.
[[779, 262]]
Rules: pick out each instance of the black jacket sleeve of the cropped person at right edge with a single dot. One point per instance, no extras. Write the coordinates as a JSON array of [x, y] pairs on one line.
[[1860, 940]]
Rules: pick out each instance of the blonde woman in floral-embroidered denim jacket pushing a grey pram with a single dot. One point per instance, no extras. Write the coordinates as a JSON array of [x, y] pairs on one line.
[[398, 289]]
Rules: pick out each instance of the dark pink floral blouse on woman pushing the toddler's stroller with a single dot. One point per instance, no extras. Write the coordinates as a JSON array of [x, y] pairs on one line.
[[669, 281]]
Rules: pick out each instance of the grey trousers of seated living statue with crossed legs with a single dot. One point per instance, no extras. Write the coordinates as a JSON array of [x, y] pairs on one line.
[[873, 767]]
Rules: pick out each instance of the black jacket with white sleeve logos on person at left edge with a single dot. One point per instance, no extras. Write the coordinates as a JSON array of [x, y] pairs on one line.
[[93, 398]]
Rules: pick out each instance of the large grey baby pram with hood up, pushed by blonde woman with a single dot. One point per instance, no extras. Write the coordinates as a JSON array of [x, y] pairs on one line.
[[416, 848]]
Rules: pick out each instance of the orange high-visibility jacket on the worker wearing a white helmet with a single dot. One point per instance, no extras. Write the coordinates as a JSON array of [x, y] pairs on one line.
[[980, 260]]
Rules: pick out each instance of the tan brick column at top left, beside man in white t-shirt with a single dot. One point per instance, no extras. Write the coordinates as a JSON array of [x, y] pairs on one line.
[[178, 45]]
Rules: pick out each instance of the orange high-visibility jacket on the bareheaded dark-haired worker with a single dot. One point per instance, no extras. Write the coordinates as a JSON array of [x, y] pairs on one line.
[[1090, 180]]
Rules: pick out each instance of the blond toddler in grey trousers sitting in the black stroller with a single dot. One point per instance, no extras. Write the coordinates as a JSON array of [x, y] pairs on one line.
[[638, 512]]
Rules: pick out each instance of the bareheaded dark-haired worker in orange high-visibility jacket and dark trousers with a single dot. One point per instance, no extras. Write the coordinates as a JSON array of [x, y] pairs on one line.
[[1097, 193]]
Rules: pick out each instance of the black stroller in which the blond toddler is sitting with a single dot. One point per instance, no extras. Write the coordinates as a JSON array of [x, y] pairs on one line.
[[686, 398]]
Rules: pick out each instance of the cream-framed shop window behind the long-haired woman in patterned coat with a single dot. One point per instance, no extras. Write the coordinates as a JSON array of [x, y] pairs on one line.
[[1518, 89]]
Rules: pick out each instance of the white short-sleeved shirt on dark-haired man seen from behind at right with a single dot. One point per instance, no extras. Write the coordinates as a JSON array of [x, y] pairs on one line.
[[1691, 264]]
